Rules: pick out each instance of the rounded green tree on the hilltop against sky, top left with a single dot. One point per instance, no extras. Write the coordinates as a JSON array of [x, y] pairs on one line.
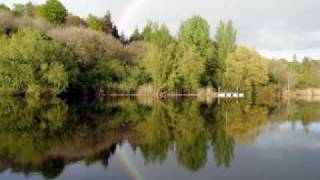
[[53, 11]]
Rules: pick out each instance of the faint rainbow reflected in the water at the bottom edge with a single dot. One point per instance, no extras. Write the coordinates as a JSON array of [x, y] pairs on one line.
[[128, 164]]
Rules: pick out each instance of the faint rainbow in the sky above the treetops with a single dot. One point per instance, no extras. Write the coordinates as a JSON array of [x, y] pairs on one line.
[[128, 12]]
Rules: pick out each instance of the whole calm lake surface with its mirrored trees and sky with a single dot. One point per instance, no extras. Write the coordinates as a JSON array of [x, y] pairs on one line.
[[144, 139]]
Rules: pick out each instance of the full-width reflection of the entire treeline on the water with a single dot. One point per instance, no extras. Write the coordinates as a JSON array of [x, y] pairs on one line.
[[44, 136]]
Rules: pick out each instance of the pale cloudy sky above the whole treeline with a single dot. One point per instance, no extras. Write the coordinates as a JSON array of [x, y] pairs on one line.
[[276, 28]]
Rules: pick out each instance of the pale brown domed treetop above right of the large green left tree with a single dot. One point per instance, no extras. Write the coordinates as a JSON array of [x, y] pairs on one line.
[[89, 46]]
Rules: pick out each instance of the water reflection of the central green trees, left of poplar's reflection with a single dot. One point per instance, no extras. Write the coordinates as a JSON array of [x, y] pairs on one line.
[[172, 123]]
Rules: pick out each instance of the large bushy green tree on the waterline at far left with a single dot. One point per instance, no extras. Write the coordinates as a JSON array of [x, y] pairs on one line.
[[32, 65]]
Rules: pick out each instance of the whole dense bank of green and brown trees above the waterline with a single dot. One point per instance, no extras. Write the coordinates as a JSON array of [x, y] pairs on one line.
[[46, 51]]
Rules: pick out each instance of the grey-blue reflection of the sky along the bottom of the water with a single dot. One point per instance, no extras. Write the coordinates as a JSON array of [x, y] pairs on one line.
[[280, 152]]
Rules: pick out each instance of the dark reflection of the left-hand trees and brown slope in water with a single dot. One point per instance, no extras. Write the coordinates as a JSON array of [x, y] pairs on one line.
[[43, 136]]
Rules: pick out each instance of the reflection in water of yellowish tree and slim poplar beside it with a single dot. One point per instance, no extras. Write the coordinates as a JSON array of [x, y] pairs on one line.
[[231, 122]]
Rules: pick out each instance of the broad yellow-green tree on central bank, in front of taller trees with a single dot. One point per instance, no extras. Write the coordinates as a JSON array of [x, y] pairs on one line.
[[178, 67]]
